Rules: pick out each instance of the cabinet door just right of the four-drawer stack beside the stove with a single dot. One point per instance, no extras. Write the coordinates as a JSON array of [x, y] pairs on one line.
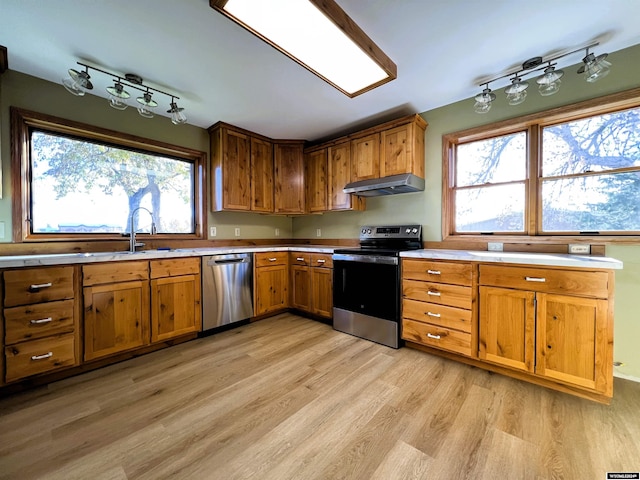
[[507, 327]]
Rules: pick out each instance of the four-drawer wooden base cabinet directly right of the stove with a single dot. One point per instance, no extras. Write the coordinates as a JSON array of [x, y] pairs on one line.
[[439, 305]]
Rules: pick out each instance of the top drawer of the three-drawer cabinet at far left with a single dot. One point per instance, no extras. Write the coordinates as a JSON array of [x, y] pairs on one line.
[[37, 285]]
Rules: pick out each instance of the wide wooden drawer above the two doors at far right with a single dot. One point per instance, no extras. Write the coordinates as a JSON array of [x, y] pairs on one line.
[[573, 282]]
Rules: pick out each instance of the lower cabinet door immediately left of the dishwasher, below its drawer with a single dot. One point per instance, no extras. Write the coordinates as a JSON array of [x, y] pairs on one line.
[[175, 307]]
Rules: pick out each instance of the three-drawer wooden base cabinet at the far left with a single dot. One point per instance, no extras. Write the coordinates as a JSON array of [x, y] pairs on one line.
[[41, 315]]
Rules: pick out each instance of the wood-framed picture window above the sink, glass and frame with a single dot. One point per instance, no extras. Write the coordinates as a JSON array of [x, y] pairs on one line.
[[83, 182]]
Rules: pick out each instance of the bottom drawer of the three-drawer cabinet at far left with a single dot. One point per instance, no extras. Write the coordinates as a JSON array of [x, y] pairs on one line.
[[39, 356]]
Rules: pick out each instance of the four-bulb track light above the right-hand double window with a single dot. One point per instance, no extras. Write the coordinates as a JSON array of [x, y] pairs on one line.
[[594, 67]]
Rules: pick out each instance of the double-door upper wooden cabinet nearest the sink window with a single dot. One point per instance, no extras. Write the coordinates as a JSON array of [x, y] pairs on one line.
[[241, 170]]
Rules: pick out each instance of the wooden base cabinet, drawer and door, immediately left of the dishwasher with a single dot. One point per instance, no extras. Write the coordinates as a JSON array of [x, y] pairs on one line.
[[175, 298]]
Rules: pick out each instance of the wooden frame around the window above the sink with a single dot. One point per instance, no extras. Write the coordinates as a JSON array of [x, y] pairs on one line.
[[24, 121]]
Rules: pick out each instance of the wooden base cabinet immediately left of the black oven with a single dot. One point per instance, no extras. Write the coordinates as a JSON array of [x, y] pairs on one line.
[[312, 283]]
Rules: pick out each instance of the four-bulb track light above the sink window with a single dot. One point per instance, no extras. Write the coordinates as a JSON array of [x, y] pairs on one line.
[[78, 83]]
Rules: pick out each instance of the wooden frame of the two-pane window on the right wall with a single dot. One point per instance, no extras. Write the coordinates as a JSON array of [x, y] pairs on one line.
[[533, 125]]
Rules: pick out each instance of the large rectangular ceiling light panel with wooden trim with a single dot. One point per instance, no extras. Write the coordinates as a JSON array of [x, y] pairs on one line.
[[318, 35]]
